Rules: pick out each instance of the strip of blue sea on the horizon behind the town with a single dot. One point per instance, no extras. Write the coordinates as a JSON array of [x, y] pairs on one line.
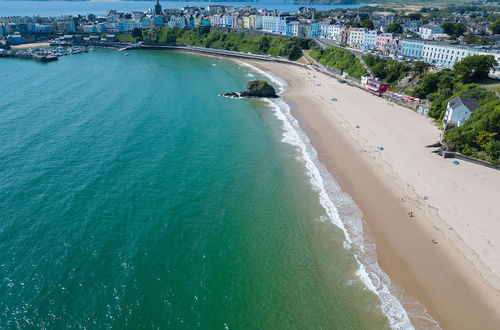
[[58, 8]]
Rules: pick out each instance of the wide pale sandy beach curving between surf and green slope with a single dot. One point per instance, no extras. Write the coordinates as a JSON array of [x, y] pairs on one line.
[[448, 255]]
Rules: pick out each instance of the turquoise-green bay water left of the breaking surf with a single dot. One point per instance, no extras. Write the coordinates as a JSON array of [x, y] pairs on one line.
[[132, 195]]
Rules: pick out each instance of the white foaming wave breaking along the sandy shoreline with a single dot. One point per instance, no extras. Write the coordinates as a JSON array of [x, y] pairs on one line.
[[332, 198]]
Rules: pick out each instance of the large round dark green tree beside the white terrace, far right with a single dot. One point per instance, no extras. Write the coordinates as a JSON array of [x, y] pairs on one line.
[[475, 68]]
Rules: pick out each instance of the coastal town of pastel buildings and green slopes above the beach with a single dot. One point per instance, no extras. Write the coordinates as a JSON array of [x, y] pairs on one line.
[[387, 52]]
